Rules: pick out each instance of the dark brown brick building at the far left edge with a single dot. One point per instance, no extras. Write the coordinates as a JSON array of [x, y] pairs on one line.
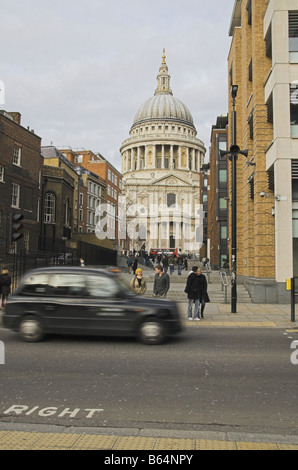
[[20, 183]]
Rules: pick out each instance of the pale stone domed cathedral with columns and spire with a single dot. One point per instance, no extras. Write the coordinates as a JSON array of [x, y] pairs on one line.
[[161, 162]]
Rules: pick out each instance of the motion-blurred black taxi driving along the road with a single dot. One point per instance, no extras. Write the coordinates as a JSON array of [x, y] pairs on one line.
[[72, 300]]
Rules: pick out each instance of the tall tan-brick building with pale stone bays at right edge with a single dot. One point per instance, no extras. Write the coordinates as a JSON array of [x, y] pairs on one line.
[[263, 63]]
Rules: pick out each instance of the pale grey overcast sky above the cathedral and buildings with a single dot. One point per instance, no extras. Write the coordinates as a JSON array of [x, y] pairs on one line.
[[78, 70]]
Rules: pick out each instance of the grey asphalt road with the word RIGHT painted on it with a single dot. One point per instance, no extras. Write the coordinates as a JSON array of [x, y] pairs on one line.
[[213, 379]]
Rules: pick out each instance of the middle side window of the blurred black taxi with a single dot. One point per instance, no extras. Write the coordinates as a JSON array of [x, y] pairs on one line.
[[64, 284]]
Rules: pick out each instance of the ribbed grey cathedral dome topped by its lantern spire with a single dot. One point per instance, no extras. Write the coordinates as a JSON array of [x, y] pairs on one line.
[[163, 105]]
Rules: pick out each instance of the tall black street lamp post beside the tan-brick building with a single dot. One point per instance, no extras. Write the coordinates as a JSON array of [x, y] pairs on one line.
[[233, 157]]
